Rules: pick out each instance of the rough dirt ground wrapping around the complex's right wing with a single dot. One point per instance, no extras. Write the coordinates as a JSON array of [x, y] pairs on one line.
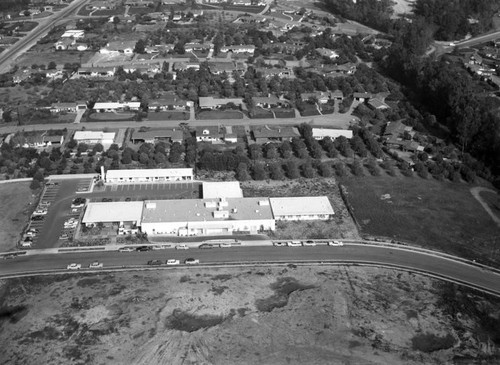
[[342, 226]]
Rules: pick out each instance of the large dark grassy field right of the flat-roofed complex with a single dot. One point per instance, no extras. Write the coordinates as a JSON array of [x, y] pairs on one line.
[[437, 215]]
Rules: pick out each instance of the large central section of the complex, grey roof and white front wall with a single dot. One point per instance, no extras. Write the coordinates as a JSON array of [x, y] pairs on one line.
[[201, 217]]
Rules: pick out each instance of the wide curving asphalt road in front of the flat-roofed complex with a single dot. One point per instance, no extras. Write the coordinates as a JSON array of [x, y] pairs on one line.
[[436, 265]]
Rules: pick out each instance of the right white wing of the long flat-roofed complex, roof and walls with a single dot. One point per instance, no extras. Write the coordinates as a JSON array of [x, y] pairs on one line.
[[302, 208]]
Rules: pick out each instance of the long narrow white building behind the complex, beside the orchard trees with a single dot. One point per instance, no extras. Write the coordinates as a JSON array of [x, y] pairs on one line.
[[147, 175]]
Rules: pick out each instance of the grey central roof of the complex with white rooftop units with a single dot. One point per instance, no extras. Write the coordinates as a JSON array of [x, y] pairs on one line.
[[204, 210]]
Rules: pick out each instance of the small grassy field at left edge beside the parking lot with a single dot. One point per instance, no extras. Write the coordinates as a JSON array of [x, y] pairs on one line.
[[19, 199]]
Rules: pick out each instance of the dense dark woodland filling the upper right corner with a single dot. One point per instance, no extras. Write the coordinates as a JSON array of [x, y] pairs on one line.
[[440, 89]]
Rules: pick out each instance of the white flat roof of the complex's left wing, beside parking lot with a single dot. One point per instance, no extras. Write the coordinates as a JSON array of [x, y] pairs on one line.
[[113, 212]]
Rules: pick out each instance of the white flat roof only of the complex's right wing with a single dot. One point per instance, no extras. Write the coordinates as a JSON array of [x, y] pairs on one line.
[[306, 205]]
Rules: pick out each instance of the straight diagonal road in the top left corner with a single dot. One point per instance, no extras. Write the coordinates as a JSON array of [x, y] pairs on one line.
[[29, 40]]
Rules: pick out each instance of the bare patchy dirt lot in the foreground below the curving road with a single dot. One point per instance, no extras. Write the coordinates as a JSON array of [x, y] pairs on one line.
[[281, 315]]
